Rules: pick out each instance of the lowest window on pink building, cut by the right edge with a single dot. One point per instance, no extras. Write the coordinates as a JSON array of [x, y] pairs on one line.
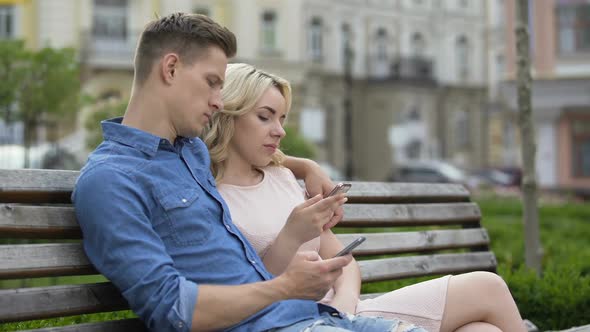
[[581, 147]]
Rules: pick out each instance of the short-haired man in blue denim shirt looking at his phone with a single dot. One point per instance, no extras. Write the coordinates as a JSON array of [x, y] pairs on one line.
[[153, 221]]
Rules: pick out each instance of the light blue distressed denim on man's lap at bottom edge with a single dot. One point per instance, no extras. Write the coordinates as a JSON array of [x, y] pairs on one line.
[[342, 323]]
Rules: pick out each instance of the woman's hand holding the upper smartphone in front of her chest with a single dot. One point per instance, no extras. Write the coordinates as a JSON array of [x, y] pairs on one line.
[[309, 219]]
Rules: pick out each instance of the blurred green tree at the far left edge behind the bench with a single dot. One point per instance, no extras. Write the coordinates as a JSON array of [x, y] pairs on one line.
[[41, 86]]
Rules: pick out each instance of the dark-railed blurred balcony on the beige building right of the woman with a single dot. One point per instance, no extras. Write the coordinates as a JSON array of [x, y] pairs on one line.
[[416, 69]]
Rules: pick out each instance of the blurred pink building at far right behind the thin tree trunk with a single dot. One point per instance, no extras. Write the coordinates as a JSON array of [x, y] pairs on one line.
[[560, 52]]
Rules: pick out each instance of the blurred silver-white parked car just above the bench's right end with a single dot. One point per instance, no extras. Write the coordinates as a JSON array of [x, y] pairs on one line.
[[432, 171]]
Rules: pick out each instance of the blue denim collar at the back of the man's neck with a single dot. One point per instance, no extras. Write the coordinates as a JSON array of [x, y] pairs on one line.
[[143, 141]]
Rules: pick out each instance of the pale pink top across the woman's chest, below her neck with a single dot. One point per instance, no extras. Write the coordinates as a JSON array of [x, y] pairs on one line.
[[257, 211]]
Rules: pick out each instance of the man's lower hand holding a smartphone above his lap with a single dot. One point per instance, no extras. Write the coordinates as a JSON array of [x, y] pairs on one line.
[[308, 277]]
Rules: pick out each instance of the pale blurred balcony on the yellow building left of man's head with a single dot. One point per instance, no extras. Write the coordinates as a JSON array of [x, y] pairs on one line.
[[105, 52]]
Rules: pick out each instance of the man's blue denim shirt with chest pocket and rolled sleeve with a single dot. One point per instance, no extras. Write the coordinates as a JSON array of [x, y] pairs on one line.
[[155, 225]]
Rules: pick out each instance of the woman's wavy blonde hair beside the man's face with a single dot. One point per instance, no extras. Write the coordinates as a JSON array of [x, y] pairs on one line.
[[244, 86]]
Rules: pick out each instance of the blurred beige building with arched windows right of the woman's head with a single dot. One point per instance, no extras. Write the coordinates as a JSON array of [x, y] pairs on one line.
[[417, 76]]
